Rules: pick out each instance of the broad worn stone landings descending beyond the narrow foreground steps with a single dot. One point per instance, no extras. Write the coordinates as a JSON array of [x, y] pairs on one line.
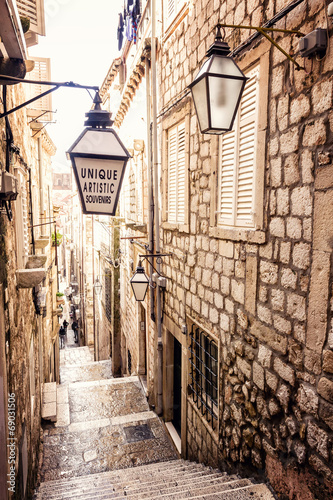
[[102, 423]]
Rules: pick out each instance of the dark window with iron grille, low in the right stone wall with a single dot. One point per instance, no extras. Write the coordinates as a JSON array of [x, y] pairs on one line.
[[204, 374]]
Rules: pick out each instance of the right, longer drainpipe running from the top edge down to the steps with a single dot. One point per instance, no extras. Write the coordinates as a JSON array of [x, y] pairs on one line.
[[159, 406]]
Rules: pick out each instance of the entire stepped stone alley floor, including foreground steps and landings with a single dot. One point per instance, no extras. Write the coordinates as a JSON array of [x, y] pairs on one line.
[[106, 443]]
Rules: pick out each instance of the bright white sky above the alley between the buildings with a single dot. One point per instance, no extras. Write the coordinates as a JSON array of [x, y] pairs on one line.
[[81, 40]]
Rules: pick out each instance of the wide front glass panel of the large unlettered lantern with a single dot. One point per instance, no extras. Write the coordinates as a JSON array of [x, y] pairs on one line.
[[223, 94]]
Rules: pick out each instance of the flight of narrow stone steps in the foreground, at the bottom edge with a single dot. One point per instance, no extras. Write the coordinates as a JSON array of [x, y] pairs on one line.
[[170, 480]]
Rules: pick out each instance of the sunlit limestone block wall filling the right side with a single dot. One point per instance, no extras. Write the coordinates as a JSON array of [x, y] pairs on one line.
[[264, 294]]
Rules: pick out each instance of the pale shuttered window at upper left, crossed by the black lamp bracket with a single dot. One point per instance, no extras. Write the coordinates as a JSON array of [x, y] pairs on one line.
[[41, 72]]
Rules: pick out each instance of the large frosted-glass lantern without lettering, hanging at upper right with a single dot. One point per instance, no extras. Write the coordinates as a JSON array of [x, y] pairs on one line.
[[217, 89]]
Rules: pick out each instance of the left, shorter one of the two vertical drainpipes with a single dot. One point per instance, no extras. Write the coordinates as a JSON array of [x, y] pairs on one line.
[[150, 185]]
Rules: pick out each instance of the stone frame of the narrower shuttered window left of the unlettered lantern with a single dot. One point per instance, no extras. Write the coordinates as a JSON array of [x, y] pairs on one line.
[[183, 114]]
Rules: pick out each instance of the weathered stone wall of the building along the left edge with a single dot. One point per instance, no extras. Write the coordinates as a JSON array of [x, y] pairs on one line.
[[21, 328]]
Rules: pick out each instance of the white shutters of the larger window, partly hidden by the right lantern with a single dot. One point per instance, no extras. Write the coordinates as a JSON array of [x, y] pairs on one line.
[[237, 161]]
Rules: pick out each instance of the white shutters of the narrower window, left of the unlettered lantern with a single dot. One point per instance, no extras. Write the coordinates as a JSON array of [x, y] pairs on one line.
[[176, 173]]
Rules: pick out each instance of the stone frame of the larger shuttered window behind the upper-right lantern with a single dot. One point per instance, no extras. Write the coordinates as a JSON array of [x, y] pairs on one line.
[[257, 234]]
